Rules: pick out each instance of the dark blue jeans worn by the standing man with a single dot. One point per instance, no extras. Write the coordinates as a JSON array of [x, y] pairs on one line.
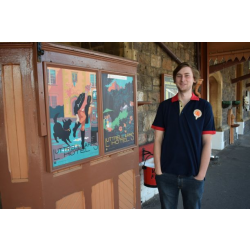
[[169, 186]]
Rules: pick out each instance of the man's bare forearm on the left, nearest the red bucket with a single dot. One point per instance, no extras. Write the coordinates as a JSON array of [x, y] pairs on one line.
[[157, 151]]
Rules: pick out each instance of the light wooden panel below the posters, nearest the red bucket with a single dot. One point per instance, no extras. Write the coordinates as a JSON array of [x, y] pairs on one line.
[[126, 185]]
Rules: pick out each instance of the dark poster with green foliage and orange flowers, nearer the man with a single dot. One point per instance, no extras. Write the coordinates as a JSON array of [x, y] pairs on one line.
[[118, 111]]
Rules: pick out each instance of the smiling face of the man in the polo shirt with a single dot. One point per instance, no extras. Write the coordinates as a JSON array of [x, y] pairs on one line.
[[184, 80]]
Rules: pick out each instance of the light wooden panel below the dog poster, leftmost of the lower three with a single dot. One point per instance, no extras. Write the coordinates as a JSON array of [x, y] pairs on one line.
[[72, 201]]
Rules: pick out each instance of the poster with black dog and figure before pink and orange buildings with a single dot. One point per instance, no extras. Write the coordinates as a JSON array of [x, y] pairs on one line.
[[73, 115]]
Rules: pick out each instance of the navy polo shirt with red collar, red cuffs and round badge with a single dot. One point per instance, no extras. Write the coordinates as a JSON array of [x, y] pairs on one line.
[[182, 143]]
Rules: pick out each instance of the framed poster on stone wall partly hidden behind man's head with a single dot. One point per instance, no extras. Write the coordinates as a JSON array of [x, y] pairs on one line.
[[168, 87]]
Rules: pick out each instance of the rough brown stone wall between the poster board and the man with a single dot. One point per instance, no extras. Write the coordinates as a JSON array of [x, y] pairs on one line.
[[153, 62]]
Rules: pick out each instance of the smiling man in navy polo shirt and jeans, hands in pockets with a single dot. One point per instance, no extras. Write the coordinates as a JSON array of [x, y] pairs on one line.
[[183, 128]]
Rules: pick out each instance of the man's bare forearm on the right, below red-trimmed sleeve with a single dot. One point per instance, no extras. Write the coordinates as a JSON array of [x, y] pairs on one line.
[[205, 156]]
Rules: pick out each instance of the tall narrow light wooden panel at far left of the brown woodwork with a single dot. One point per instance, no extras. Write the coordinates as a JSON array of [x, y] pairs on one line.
[[14, 125]]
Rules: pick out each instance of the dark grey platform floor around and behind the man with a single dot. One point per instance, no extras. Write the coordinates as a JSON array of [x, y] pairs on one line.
[[227, 184]]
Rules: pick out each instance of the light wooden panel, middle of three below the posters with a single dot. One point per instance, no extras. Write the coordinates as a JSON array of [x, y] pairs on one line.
[[103, 195]]
